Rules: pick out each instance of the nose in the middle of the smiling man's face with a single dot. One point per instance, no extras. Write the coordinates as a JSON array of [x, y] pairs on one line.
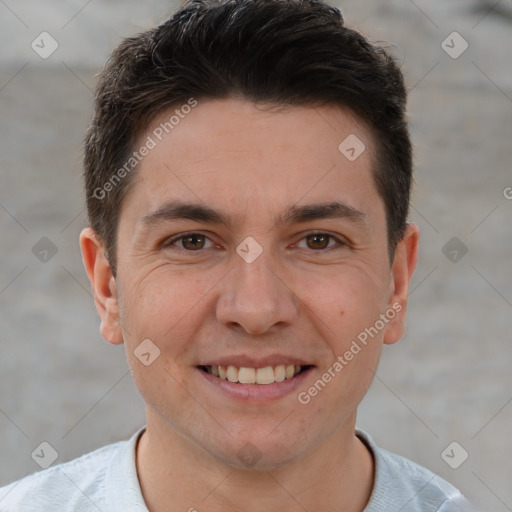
[[255, 297]]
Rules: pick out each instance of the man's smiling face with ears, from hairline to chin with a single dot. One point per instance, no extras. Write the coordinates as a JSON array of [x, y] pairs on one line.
[[282, 262]]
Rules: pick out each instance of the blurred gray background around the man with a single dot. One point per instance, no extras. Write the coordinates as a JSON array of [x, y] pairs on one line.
[[448, 379]]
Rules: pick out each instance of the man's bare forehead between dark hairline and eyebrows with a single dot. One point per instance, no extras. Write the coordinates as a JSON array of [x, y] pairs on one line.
[[232, 154]]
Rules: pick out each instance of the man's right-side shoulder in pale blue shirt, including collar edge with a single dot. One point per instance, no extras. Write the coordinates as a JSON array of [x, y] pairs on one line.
[[401, 484]]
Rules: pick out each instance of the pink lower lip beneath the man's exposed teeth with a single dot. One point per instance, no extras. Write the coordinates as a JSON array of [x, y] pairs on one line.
[[257, 392]]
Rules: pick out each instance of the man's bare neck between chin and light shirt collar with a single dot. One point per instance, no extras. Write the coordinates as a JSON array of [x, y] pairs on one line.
[[336, 476]]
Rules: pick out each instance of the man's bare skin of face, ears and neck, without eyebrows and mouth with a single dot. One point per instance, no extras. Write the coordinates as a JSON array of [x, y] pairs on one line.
[[302, 297]]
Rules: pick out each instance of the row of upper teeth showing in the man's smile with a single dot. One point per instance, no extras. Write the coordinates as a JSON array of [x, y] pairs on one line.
[[267, 375]]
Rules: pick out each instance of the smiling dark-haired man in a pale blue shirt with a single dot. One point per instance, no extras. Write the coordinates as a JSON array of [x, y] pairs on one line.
[[248, 172]]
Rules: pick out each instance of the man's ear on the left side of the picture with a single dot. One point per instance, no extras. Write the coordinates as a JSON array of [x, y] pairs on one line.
[[103, 285]]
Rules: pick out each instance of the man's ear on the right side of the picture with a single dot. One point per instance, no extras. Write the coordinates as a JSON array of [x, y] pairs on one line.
[[404, 263]]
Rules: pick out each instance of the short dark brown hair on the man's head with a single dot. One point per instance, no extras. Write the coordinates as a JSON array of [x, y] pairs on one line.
[[280, 52]]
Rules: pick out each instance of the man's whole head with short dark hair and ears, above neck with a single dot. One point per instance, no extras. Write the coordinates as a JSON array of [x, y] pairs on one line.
[[245, 108]]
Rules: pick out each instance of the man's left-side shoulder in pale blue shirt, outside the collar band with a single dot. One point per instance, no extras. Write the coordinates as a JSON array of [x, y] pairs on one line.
[[74, 485]]
